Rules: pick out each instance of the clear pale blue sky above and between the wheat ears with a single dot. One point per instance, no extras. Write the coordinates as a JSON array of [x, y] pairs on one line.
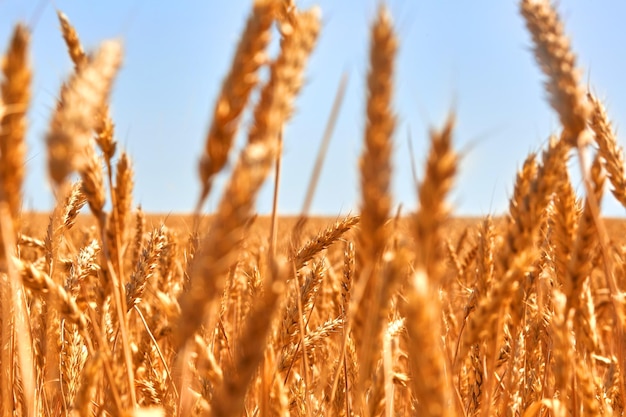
[[470, 56]]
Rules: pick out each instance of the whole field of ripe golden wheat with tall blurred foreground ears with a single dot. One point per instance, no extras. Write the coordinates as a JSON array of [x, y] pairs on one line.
[[375, 315]]
